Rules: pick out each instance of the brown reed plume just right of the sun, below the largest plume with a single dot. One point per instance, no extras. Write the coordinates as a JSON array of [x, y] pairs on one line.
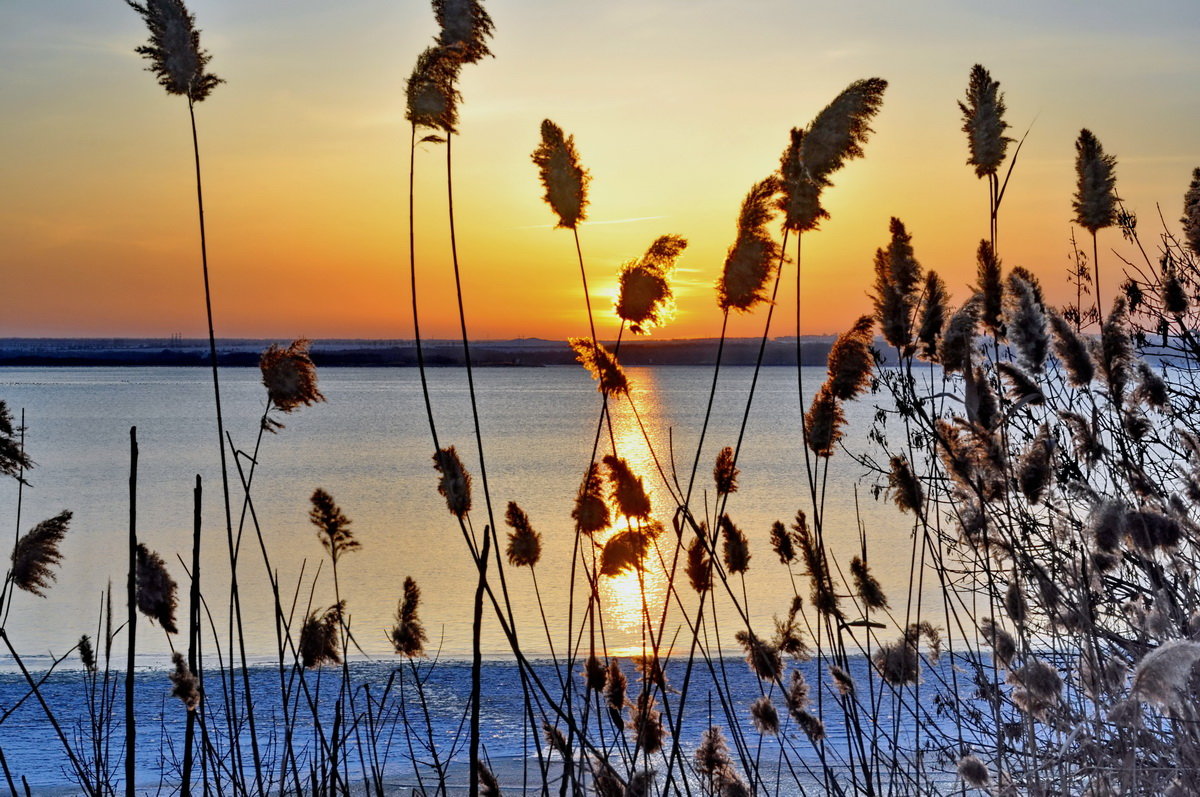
[[752, 261]]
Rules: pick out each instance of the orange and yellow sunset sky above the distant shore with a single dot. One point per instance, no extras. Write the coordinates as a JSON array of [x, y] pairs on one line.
[[677, 109]]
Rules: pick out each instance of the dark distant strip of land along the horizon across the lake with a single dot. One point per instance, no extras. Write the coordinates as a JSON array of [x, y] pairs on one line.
[[398, 353]]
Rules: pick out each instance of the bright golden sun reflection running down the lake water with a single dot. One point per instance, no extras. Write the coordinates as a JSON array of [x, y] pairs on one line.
[[629, 598]]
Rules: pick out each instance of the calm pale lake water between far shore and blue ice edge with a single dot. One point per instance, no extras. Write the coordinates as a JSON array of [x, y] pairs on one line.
[[370, 447]]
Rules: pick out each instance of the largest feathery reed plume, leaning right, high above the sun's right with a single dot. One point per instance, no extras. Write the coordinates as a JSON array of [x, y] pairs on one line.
[[837, 135]]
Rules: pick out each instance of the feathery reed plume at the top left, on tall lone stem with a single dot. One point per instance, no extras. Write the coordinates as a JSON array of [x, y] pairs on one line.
[[175, 50]]
